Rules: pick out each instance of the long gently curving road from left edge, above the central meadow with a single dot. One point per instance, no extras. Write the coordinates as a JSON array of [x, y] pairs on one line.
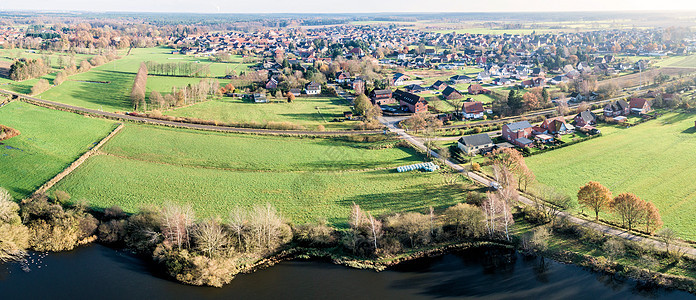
[[116, 116]]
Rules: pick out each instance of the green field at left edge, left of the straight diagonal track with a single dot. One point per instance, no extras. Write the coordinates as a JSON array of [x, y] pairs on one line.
[[49, 141]]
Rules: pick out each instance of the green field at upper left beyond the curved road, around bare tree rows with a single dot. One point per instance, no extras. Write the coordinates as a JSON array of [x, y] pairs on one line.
[[107, 87]]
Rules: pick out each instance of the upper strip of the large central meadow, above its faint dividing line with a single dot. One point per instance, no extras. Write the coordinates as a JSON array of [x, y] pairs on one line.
[[252, 153]]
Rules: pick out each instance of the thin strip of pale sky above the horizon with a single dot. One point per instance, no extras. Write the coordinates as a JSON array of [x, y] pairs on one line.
[[346, 6]]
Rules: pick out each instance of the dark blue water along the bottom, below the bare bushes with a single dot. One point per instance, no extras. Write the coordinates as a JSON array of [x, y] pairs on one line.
[[98, 272]]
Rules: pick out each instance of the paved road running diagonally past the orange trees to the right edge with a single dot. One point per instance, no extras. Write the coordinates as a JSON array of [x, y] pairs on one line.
[[392, 123]]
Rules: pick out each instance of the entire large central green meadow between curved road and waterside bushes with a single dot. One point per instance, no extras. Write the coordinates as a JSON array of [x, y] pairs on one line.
[[306, 179]]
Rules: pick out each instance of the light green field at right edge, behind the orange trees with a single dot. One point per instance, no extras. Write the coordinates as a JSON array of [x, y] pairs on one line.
[[648, 160]]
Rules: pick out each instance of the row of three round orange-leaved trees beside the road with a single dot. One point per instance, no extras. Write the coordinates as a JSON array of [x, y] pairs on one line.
[[630, 208]]
